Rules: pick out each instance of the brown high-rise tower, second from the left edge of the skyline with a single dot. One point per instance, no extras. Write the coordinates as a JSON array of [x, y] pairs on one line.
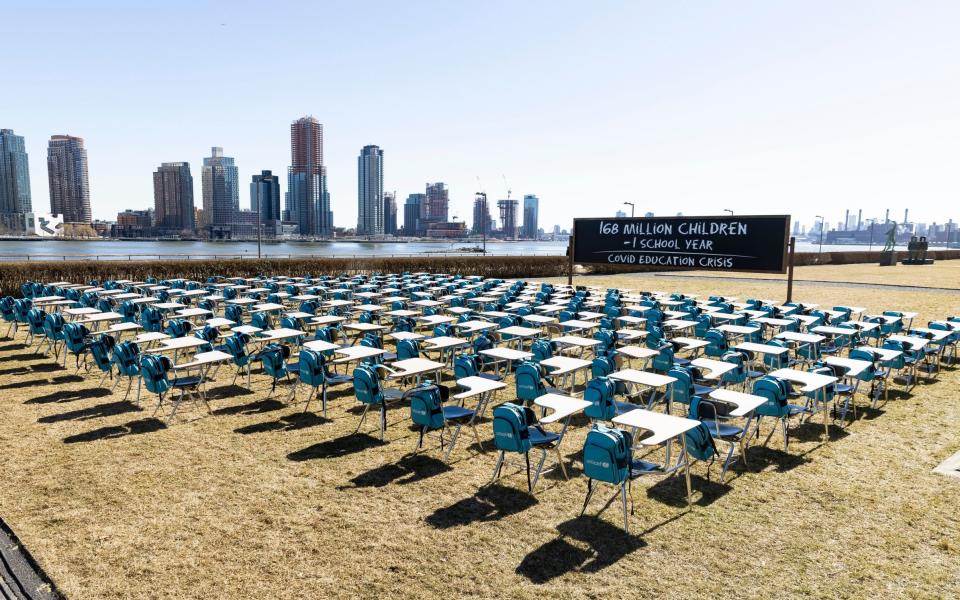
[[69, 179]]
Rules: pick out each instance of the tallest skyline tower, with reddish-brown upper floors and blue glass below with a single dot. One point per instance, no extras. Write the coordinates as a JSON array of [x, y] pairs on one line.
[[308, 202]]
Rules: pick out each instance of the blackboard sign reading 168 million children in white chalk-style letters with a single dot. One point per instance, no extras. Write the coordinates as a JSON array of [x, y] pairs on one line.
[[729, 243]]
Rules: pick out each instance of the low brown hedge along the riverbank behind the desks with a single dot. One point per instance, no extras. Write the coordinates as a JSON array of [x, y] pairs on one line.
[[14, 274]]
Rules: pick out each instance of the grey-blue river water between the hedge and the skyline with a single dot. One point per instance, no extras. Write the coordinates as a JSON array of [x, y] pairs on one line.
[[125, 249]]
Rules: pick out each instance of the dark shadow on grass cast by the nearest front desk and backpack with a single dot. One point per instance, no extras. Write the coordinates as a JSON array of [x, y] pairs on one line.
[[586, 544]]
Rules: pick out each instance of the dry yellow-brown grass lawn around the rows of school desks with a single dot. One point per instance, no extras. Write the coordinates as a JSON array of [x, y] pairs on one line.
[[260, 500]]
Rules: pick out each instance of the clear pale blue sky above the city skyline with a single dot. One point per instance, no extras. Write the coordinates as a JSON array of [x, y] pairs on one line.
[[757, 106]]
